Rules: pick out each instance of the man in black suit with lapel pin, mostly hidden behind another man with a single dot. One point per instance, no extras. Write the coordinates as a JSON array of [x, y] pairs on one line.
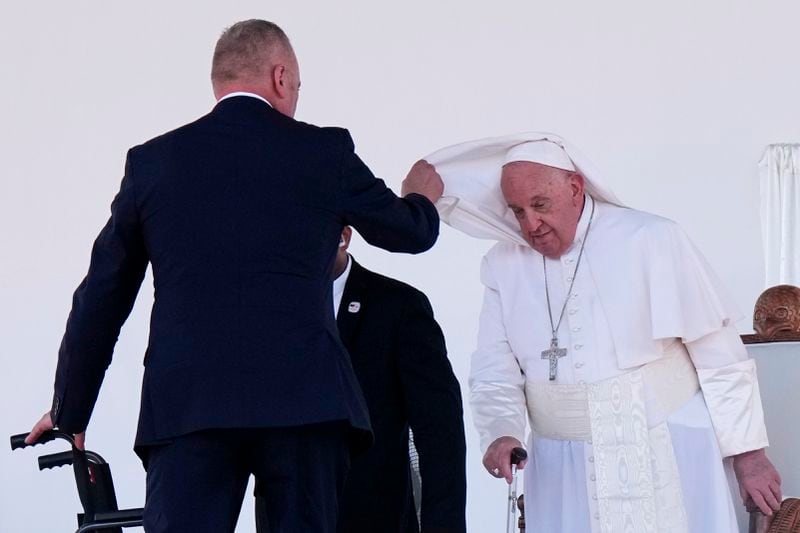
[[399, 355]]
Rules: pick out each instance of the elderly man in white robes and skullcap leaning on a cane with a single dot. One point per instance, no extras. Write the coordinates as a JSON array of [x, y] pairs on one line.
[[606, 333]]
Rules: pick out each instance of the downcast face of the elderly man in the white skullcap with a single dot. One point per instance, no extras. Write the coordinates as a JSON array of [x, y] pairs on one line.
[[547, 203]]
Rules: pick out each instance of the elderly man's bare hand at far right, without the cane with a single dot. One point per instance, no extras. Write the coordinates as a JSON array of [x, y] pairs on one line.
[[758, 480]]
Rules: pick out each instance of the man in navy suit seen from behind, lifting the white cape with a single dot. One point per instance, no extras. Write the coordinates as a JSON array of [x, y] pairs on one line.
[[239, 213]]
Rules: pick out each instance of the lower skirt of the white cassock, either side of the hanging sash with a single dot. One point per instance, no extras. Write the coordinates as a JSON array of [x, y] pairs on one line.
[[559, 490]]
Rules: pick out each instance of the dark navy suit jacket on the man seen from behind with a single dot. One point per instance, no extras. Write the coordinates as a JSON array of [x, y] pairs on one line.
[[240, 214]]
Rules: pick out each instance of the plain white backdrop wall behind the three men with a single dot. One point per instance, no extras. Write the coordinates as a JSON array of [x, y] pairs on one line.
[[675, 101]]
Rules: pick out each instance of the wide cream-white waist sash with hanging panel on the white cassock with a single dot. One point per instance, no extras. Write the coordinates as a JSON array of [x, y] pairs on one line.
[[632, 476]]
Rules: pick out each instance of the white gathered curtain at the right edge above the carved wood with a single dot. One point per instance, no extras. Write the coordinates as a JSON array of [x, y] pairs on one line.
[[780, 213]]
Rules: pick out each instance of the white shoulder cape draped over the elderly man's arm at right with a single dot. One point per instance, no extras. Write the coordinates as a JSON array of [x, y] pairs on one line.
[[653, 283]]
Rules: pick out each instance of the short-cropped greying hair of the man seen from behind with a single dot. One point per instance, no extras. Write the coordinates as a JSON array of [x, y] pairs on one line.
[[245, 49]]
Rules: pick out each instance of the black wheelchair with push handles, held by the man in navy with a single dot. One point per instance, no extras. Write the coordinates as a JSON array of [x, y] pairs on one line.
[[95, 485]]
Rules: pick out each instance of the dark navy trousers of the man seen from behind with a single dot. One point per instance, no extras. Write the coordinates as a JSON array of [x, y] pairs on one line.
[[196, 482]]
